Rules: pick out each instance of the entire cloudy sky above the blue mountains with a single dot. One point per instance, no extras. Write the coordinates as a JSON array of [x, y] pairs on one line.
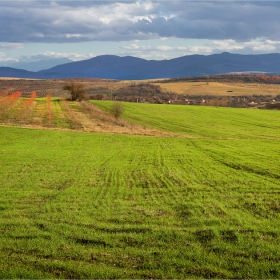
[[31, 30]]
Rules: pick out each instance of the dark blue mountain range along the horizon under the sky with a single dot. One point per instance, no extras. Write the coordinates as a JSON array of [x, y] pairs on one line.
[[132, 68]]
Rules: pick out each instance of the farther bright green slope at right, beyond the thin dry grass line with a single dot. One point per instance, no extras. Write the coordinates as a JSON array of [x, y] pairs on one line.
[[205, 122]]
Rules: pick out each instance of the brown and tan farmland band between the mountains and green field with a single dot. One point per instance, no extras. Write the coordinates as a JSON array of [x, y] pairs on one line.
[[228, 90]]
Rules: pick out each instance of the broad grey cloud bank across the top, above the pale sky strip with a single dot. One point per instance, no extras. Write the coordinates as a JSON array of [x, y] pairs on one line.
[[80, 21]]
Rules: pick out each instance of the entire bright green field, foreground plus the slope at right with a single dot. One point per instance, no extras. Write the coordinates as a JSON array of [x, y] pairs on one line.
[[204, 204]]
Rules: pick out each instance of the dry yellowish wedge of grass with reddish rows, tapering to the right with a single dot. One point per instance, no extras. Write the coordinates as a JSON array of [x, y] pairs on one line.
[[70, 115]]
